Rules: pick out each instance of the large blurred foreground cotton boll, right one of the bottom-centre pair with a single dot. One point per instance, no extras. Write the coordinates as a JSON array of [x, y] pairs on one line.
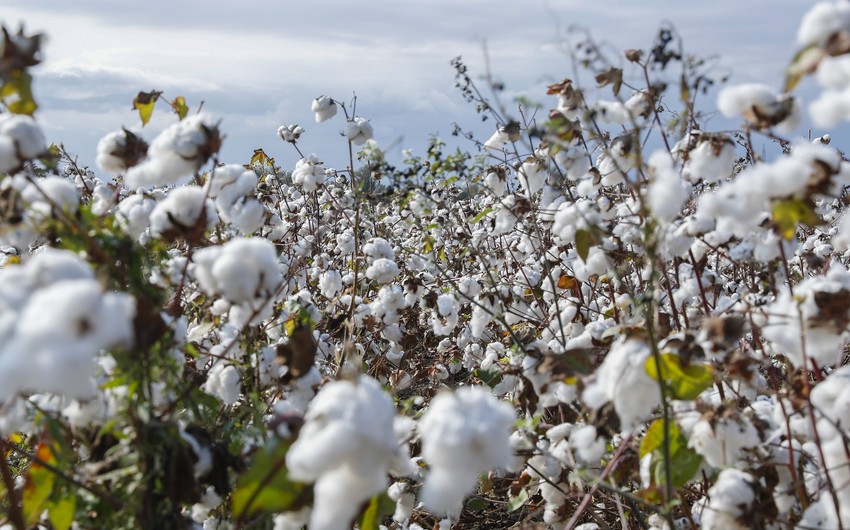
[[464, 434]]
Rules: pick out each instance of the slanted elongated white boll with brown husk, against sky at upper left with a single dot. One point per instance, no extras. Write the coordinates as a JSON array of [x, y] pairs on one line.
[[177, 152]]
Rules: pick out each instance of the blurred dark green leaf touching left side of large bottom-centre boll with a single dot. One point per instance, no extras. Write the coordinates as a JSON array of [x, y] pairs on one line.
[[266, 486]]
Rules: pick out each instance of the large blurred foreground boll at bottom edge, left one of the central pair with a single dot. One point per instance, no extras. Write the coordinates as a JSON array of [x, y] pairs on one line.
[[347, 445]]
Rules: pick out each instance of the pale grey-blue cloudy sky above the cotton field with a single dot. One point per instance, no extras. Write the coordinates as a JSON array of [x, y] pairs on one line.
[[259, 64]]
